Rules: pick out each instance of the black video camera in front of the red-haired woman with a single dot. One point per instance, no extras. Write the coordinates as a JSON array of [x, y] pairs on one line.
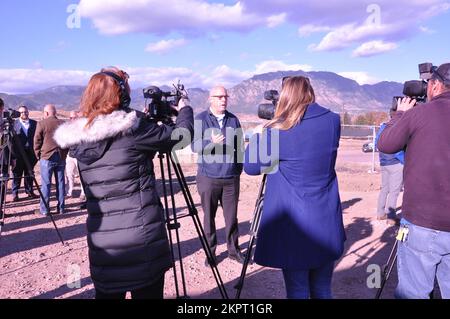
[[160, 105]]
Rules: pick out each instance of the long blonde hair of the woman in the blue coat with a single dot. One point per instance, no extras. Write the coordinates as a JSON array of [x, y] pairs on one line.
[[296, 94]]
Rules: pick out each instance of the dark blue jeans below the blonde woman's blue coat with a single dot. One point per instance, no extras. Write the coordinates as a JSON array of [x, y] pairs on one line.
[[311, 283]]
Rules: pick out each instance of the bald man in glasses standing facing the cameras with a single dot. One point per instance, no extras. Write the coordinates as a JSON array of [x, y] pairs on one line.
[[219, 170]]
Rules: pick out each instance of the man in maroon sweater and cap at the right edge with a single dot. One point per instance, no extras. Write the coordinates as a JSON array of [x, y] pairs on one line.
[[424, 235]]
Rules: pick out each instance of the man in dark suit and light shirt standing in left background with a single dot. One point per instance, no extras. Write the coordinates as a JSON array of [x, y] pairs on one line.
[[25, 128]]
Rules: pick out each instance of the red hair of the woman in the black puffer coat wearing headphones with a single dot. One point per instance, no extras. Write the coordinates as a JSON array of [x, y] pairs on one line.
[[102, 95]]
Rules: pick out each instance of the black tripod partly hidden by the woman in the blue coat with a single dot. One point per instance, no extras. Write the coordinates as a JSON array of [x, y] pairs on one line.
[[253, 234]]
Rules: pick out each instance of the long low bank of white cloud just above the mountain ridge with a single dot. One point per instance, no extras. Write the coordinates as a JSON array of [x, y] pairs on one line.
[[16, 81]]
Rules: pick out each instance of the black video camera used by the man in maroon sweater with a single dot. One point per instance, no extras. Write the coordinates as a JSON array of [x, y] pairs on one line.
[[417, 89]]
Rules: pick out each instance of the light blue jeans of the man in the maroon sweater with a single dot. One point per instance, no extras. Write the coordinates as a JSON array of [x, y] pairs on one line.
[[423, 256]]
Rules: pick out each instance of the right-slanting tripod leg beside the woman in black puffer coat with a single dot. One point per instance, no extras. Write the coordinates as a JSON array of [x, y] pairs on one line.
[[198, 226]]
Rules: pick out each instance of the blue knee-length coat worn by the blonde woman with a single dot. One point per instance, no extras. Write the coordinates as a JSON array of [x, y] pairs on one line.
[[301, 224]]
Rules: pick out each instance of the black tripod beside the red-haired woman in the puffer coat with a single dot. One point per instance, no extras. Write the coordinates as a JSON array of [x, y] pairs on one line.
[[172, 222]]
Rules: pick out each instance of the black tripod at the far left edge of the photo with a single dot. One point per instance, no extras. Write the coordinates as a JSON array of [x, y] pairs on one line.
[[9, 139]]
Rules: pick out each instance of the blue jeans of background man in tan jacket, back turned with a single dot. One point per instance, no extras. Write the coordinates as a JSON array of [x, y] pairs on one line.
[[54, 165]]
